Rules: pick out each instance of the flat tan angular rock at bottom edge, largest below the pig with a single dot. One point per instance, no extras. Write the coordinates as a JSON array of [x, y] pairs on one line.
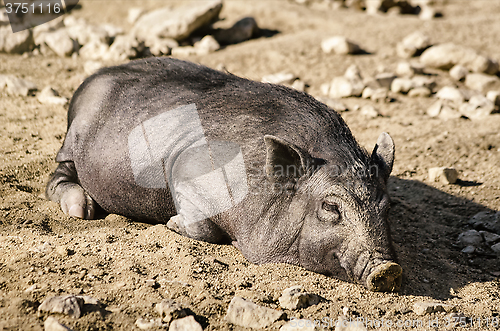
[[245, 313]]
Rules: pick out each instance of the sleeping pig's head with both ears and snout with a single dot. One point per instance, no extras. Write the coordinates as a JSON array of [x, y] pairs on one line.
[[342, 209]]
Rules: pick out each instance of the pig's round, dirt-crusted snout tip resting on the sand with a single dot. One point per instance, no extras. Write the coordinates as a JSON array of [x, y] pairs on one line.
[[386, 277]]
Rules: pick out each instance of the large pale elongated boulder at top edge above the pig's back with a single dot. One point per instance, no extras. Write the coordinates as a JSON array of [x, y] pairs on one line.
[[177, 23]]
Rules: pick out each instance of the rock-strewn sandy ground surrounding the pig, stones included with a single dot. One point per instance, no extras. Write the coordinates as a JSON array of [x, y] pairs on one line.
[[426, 73]]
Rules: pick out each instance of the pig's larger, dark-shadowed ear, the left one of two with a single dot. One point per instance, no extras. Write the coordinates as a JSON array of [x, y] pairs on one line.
[[285, 159]]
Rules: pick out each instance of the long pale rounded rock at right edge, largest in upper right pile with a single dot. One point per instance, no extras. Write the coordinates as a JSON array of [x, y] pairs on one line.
[[445, 56]]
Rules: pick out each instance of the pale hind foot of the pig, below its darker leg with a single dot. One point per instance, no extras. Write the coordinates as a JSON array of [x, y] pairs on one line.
[[75, 202]]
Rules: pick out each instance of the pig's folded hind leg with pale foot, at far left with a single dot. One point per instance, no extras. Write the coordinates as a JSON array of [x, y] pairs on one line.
[[64, 188]]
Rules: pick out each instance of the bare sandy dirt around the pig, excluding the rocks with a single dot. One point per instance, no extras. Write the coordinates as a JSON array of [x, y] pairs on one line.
[[43, 252]]
